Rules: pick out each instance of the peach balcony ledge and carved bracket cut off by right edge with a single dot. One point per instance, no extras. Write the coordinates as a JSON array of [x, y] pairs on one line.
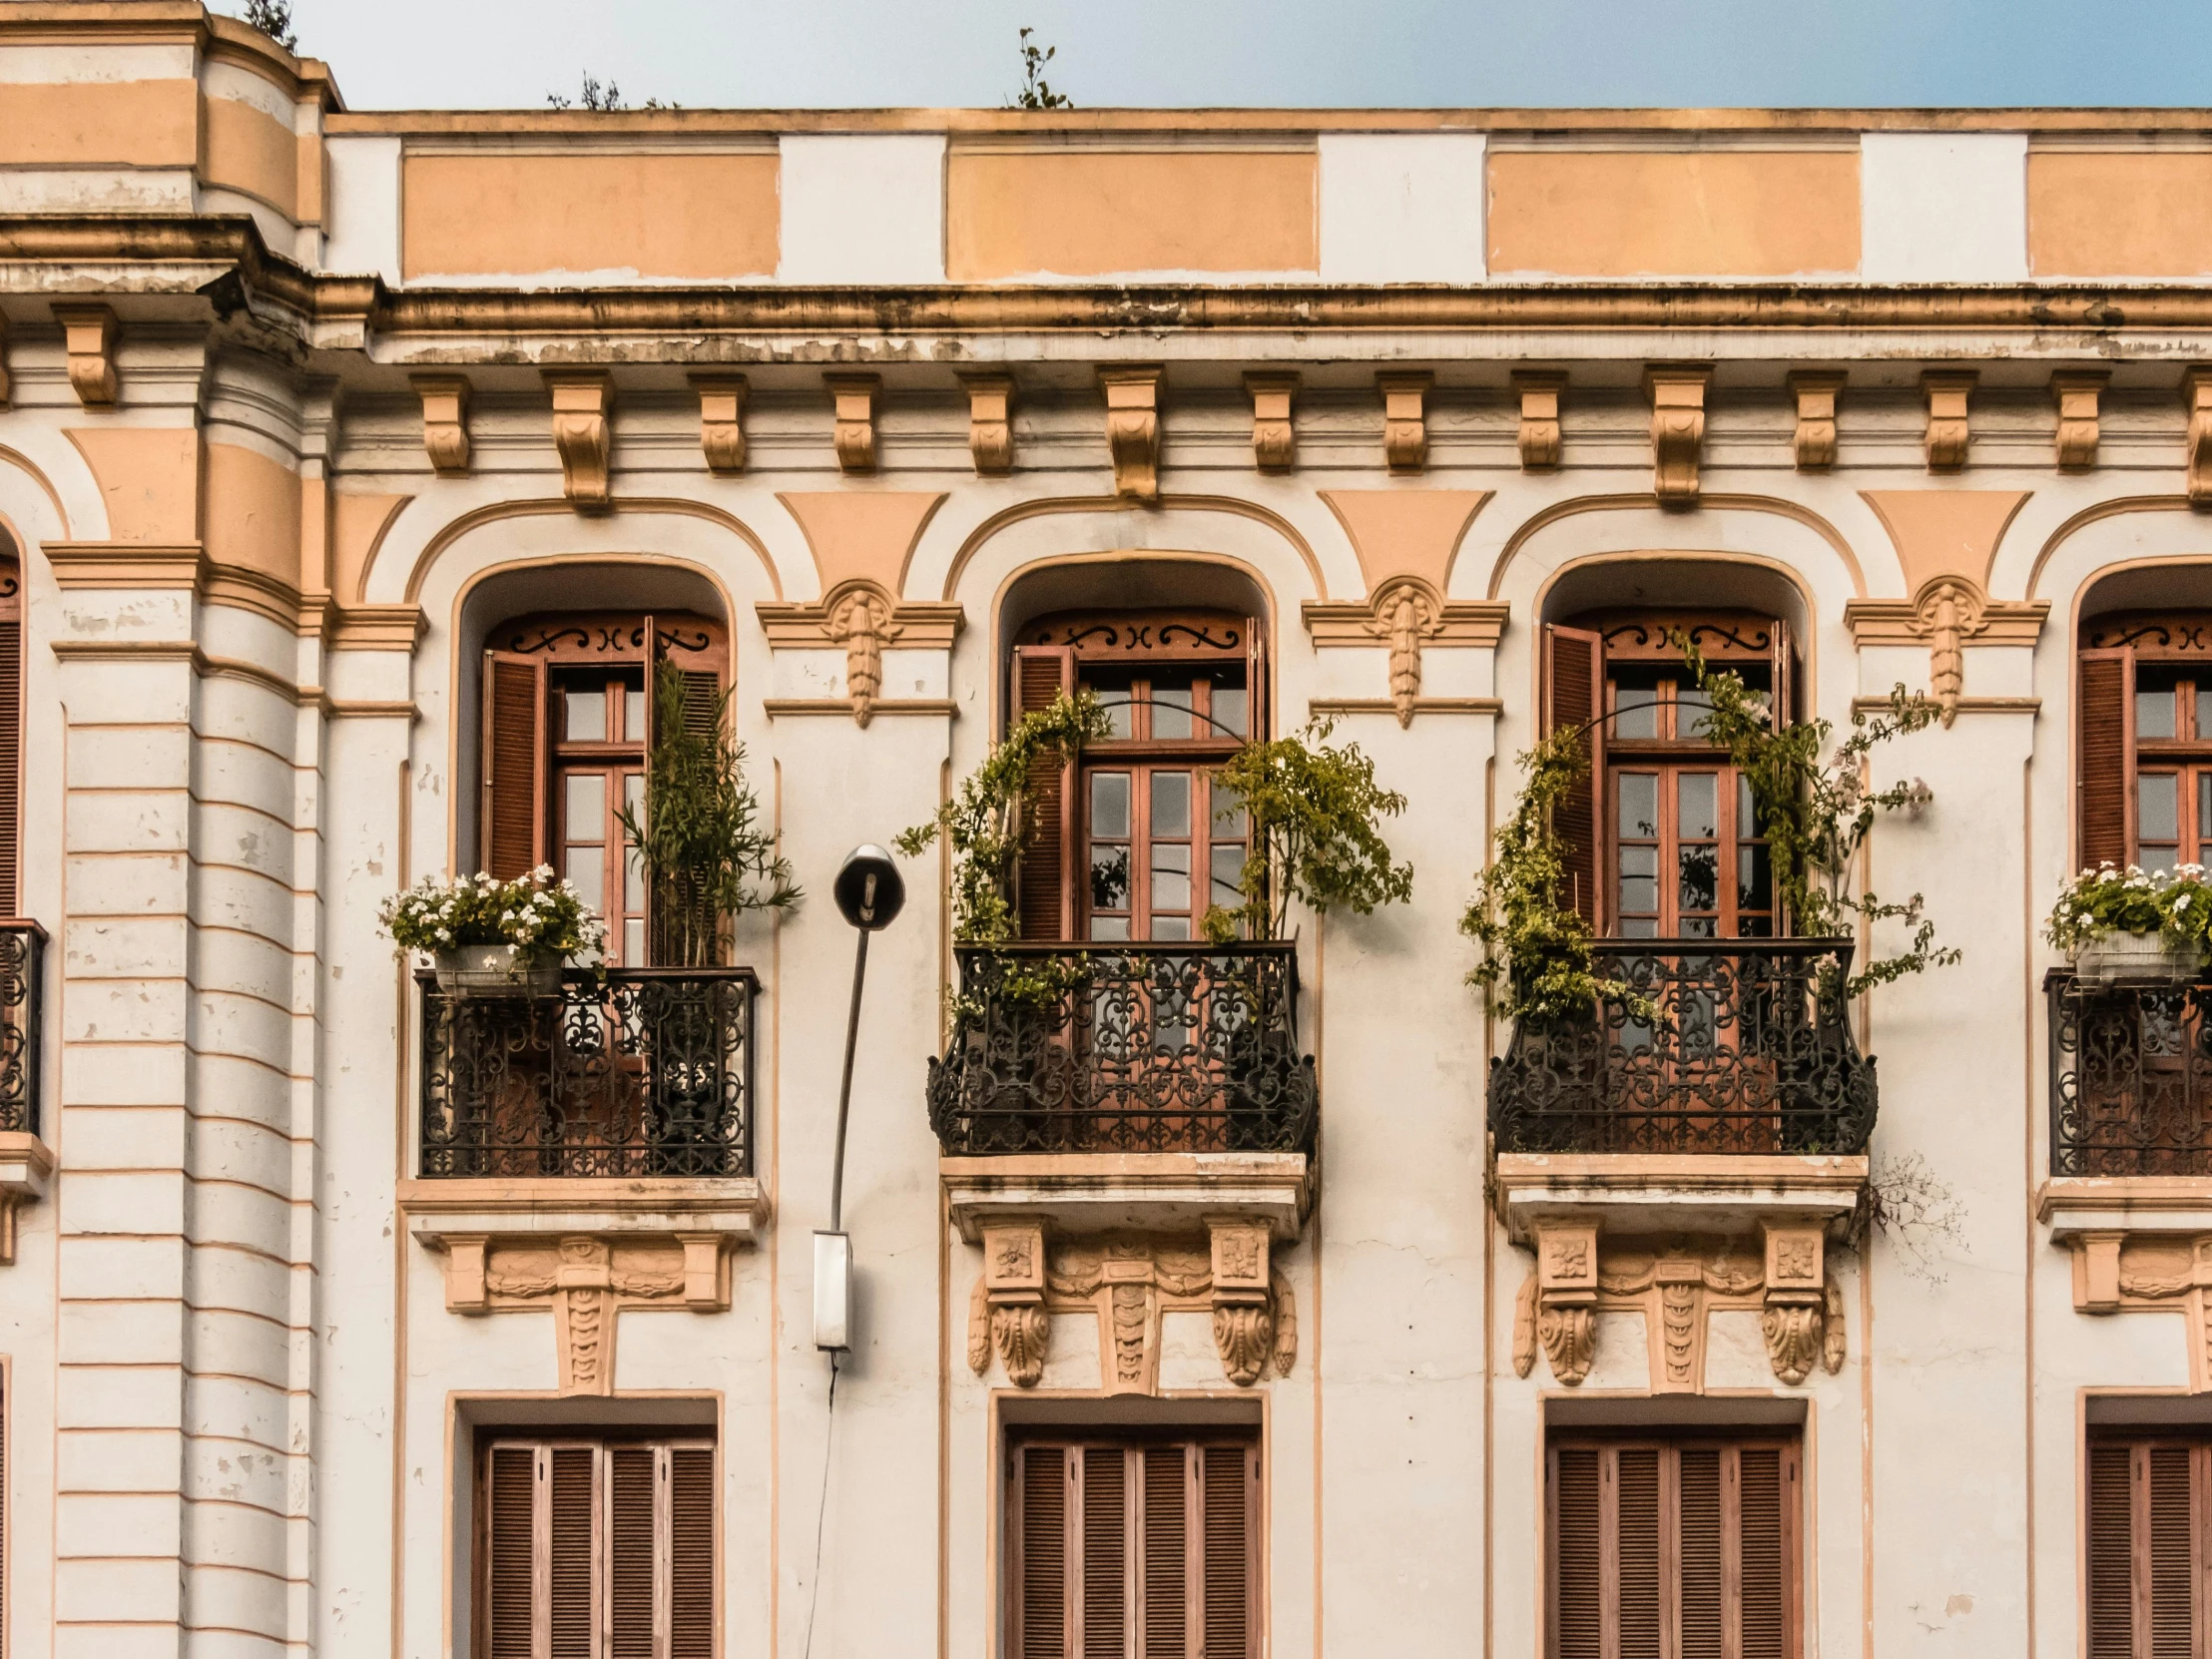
[[2140, 1246]]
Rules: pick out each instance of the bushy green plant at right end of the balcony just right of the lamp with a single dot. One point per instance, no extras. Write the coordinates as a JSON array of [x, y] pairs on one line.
[[1313, 815]]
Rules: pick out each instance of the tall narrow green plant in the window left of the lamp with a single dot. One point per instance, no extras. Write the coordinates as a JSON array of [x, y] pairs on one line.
[[700, 842]]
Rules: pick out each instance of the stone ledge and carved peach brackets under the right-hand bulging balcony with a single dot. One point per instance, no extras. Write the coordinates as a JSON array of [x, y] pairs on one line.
[[1676, 1240]]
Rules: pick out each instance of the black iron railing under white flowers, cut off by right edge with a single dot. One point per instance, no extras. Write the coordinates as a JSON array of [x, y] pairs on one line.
[[2131, 1078]]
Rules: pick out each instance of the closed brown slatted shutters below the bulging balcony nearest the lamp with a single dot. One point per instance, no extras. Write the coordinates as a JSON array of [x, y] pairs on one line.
[[1134, 1545]]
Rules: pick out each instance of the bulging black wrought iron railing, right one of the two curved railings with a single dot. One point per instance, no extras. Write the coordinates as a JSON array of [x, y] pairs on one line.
[[1751, 1052]]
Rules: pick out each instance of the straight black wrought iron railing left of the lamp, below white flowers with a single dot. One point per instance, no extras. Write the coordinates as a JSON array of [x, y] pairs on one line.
[[625, 1074]]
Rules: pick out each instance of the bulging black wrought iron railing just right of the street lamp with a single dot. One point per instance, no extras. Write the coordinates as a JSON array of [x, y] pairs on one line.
[[1127, 1050]]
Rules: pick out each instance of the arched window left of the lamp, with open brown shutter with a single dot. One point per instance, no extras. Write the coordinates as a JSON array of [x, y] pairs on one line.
[[567, 724]]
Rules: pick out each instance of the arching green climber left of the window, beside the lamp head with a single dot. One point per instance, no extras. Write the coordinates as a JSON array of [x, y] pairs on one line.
[[992, 820]]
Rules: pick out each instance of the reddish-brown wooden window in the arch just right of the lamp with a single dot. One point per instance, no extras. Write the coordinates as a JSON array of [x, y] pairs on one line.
[[1134, 844]]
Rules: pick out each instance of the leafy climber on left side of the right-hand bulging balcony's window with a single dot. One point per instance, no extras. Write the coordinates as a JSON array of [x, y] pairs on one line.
[[1534, 946]]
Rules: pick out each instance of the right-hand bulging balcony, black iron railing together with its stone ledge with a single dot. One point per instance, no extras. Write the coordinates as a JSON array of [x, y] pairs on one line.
[[1742, 1103]]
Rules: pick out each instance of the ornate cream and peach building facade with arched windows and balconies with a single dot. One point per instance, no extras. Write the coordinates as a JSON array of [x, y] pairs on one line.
[[362, 470]]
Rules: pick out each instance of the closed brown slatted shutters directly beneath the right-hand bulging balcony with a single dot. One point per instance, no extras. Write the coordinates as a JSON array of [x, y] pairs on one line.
[[1676, 1545]]
